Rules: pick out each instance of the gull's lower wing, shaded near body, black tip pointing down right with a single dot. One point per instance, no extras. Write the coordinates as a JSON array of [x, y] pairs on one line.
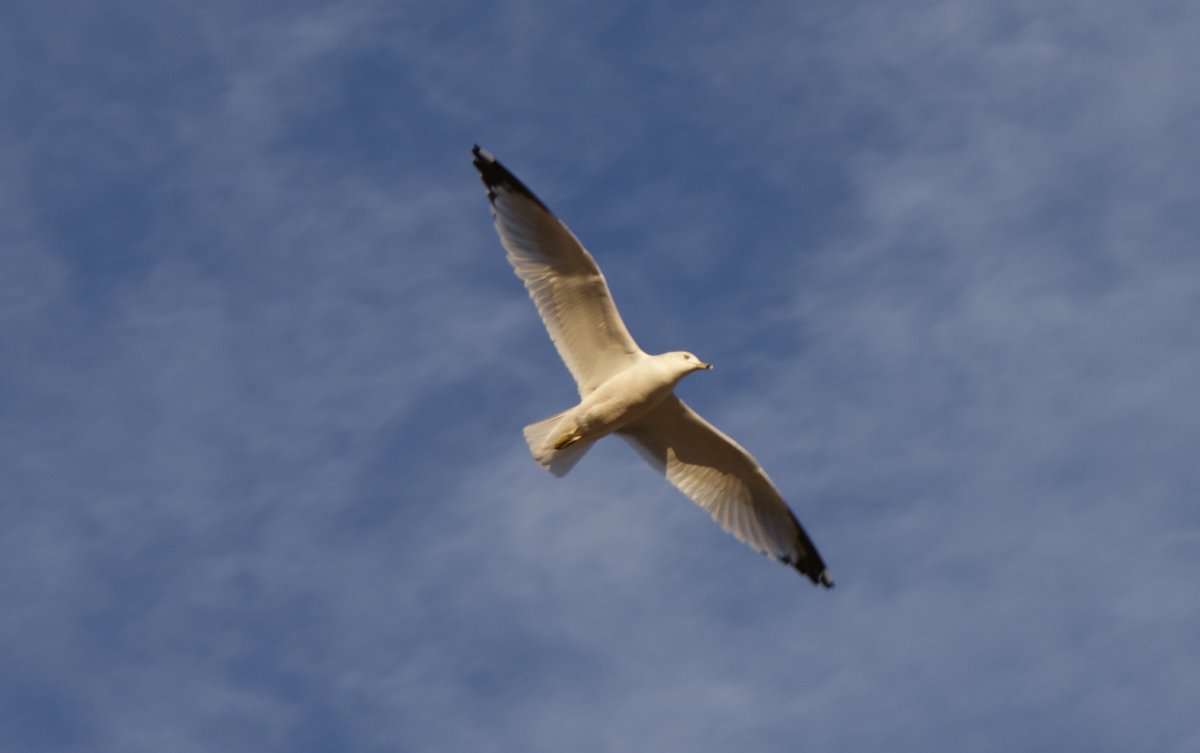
[[717, 474]]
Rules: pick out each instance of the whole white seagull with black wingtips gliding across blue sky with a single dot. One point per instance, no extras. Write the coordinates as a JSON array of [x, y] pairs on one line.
[[628, 393]]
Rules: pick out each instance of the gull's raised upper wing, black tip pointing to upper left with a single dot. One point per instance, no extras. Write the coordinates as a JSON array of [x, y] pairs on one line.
[[562, 278]]
